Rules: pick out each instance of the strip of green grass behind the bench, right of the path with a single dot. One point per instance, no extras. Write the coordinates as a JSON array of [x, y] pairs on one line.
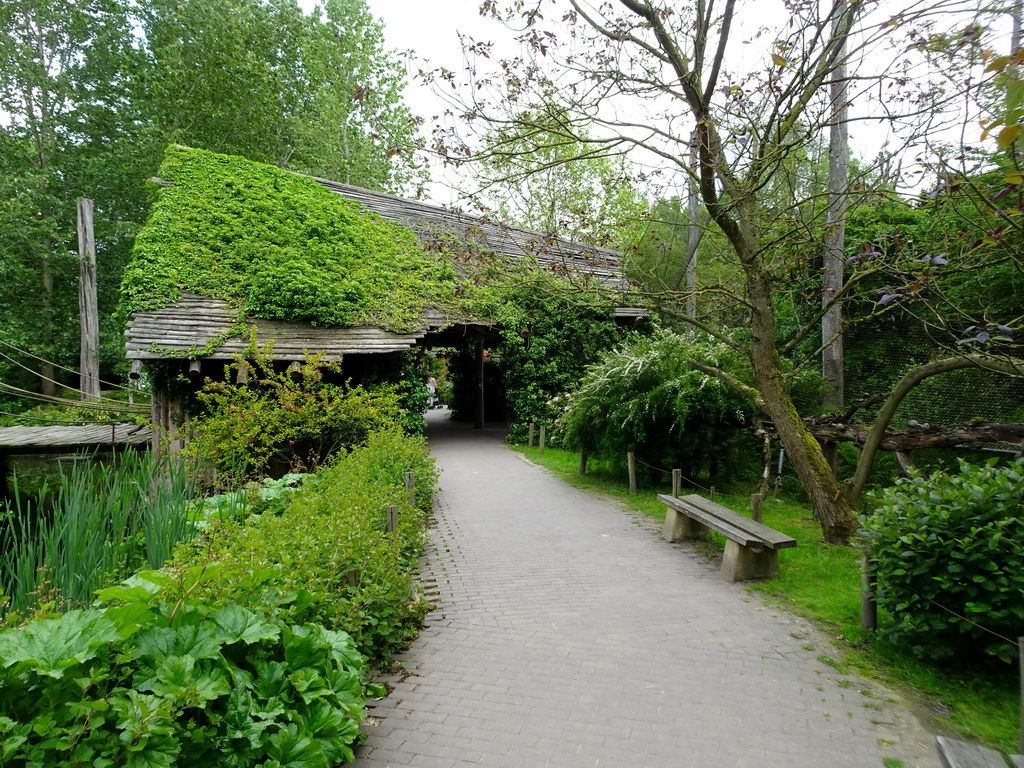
[[822, 582]]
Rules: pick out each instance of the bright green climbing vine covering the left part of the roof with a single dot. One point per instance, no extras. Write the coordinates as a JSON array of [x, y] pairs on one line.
[[278, 246]]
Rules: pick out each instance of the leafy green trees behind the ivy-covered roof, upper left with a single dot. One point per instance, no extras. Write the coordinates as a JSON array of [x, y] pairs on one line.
[[94, 93]]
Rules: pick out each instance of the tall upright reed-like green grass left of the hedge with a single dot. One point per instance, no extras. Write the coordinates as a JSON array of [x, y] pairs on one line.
[[100, 525]]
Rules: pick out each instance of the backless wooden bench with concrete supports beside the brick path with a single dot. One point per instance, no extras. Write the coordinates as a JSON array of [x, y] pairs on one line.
[[752, 549]]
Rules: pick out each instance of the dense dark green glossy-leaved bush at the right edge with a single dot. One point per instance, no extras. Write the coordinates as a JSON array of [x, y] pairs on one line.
[[948, 554]]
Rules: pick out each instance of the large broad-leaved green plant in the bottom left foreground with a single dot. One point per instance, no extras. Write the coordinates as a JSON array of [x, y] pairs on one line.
[[164, 679]]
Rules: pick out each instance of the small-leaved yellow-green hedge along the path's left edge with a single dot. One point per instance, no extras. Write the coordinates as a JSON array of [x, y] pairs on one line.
[[332, 542]]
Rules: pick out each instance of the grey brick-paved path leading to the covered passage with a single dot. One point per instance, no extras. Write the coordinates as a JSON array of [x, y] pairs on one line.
[[568, 634]]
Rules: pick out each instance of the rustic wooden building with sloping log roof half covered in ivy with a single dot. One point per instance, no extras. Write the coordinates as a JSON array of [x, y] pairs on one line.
[[239, 257]]
